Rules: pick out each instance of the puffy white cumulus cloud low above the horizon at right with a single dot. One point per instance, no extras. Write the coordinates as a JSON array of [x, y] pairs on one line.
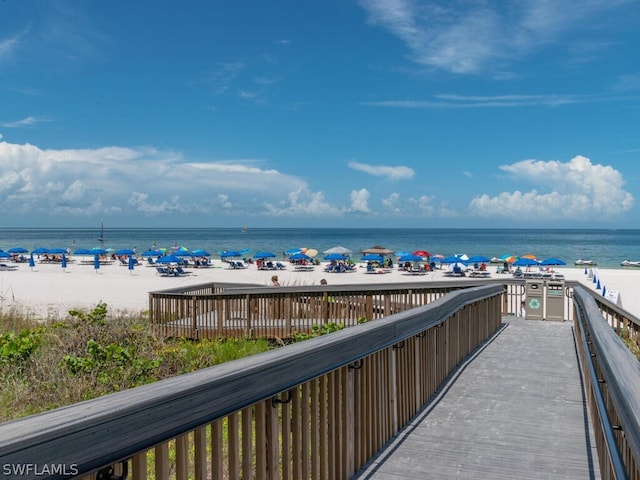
[[574, 190]]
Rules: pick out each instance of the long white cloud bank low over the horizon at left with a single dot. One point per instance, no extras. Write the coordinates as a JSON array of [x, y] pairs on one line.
[[117, 179]]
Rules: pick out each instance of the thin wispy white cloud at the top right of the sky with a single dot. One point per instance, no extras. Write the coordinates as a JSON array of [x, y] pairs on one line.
[[468, 36]]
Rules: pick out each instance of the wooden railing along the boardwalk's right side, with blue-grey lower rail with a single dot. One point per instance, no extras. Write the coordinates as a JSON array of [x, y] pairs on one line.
[[612, 379]]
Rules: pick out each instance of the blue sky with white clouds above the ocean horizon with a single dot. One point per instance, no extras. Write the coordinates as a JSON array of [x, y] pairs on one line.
[[372, 113]]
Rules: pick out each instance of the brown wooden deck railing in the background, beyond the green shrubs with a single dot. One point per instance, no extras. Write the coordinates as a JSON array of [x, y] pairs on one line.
[[268, 312]]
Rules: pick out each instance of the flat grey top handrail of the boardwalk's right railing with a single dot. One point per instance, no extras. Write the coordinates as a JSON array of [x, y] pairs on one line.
[[619, 367]]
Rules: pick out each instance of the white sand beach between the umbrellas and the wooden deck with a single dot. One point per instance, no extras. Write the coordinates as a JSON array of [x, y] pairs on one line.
[[49, 291]]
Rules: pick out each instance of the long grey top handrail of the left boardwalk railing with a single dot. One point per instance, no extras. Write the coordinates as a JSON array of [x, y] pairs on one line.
[[102, 431]]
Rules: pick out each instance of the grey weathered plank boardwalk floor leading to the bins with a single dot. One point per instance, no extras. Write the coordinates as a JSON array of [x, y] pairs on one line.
[[515, 410]]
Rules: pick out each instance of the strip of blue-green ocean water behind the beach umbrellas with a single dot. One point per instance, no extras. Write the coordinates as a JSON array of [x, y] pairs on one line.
[[606, 247]]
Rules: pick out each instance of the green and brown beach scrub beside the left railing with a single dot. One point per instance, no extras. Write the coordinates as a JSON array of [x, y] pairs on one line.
[[47, 364]]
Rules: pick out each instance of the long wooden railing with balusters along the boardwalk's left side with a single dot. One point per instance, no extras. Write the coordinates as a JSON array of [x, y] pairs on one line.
[[316, 409]]
